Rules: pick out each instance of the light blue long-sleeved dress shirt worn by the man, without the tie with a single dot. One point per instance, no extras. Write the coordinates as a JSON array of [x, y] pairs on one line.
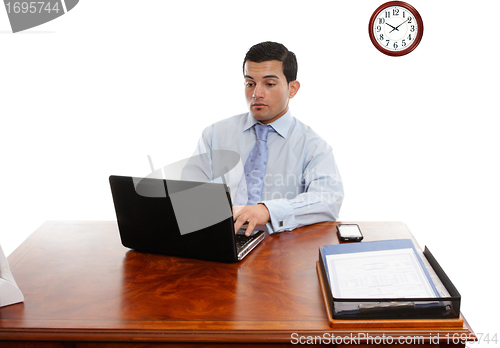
[[302, 184]]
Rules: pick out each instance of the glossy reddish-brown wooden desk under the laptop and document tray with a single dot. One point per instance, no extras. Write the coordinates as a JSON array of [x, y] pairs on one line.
[[83, 288]]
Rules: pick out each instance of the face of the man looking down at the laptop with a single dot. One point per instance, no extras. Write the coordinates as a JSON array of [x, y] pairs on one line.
[[267, 90]]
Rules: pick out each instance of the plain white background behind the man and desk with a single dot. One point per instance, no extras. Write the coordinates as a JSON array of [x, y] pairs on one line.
[[94, 92]]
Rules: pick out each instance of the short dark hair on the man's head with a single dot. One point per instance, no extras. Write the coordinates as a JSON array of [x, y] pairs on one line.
[[266, 51]]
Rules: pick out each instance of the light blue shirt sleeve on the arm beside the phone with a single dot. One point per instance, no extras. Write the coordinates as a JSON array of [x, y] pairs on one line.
[[320, 201]]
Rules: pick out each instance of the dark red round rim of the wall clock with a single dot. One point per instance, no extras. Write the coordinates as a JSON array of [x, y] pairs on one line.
[[417, 40]]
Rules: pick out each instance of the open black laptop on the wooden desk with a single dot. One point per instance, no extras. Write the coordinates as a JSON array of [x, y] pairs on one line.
[[180, 218]]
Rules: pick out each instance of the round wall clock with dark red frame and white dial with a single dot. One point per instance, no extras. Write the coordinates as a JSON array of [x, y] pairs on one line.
[[396, 28]]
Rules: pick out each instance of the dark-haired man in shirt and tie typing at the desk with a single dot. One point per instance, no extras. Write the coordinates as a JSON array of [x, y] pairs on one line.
[[296, 181]]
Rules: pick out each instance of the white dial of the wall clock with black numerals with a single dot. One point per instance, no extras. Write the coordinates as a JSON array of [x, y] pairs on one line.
[[395, 28]]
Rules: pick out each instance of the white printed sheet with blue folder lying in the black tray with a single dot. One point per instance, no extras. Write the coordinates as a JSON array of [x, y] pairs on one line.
[[380, 269]]
